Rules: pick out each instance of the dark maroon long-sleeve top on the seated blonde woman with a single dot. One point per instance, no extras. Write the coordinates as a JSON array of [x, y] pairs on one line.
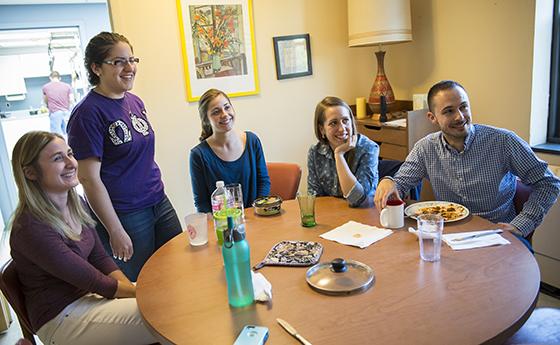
[[55, 271]]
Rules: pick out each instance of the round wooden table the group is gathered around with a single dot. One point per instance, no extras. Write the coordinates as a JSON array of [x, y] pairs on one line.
[[469, 297]]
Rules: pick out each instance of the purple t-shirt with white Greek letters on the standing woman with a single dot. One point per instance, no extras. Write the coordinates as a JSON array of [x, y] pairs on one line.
[[117, 132]]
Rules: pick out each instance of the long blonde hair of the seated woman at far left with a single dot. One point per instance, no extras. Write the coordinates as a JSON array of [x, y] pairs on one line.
[[32, 198]]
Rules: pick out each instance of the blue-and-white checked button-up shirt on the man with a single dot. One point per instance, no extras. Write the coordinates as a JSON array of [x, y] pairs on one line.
[[483, 176]]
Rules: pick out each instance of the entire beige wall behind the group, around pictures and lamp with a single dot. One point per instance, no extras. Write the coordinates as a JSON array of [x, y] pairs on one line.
[[486, 45]]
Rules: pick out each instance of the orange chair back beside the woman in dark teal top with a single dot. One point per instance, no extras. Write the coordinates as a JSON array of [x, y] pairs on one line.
[[284, 179]]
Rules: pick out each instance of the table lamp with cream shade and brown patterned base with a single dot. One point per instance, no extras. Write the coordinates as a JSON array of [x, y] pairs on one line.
[[378, 22]]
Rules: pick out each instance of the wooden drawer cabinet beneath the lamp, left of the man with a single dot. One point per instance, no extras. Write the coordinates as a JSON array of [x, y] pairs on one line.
[[396, 142]]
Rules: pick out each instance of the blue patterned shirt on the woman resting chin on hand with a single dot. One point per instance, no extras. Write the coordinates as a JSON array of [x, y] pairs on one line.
[[323, 178]]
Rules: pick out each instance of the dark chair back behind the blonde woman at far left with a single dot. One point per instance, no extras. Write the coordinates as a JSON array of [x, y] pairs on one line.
[[11, 287]]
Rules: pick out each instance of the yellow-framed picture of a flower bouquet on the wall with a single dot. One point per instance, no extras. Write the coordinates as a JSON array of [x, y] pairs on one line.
[[218, 47]]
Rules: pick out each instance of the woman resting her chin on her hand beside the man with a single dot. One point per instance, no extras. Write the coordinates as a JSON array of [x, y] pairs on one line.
[[343, 163]]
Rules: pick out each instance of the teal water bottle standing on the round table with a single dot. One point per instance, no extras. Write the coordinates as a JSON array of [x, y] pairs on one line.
[[237, 264]]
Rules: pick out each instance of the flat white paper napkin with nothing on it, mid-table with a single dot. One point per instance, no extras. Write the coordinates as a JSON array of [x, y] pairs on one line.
[[356, 234]]
